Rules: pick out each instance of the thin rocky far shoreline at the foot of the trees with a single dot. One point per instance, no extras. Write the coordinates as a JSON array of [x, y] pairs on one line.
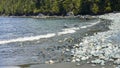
[[87, 17]]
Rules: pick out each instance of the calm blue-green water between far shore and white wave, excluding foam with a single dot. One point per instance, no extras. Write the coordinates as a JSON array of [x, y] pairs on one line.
[[21, 27]]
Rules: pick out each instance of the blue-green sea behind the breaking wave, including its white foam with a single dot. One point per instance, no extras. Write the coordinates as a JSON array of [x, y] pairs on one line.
[[28, 29]]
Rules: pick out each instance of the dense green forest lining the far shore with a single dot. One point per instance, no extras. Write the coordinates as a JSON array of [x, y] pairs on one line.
[[57, 7]]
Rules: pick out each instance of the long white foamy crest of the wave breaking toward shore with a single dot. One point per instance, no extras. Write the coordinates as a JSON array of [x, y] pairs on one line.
[[33, 38]]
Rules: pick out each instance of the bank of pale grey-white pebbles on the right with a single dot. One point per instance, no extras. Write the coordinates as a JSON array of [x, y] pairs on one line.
[[102, 47]]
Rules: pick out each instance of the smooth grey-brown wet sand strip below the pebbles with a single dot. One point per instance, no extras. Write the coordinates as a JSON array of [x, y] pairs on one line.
[[70, 65]]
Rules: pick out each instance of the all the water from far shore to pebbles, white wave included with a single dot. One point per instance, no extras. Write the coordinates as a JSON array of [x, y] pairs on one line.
[[34, 41]]
